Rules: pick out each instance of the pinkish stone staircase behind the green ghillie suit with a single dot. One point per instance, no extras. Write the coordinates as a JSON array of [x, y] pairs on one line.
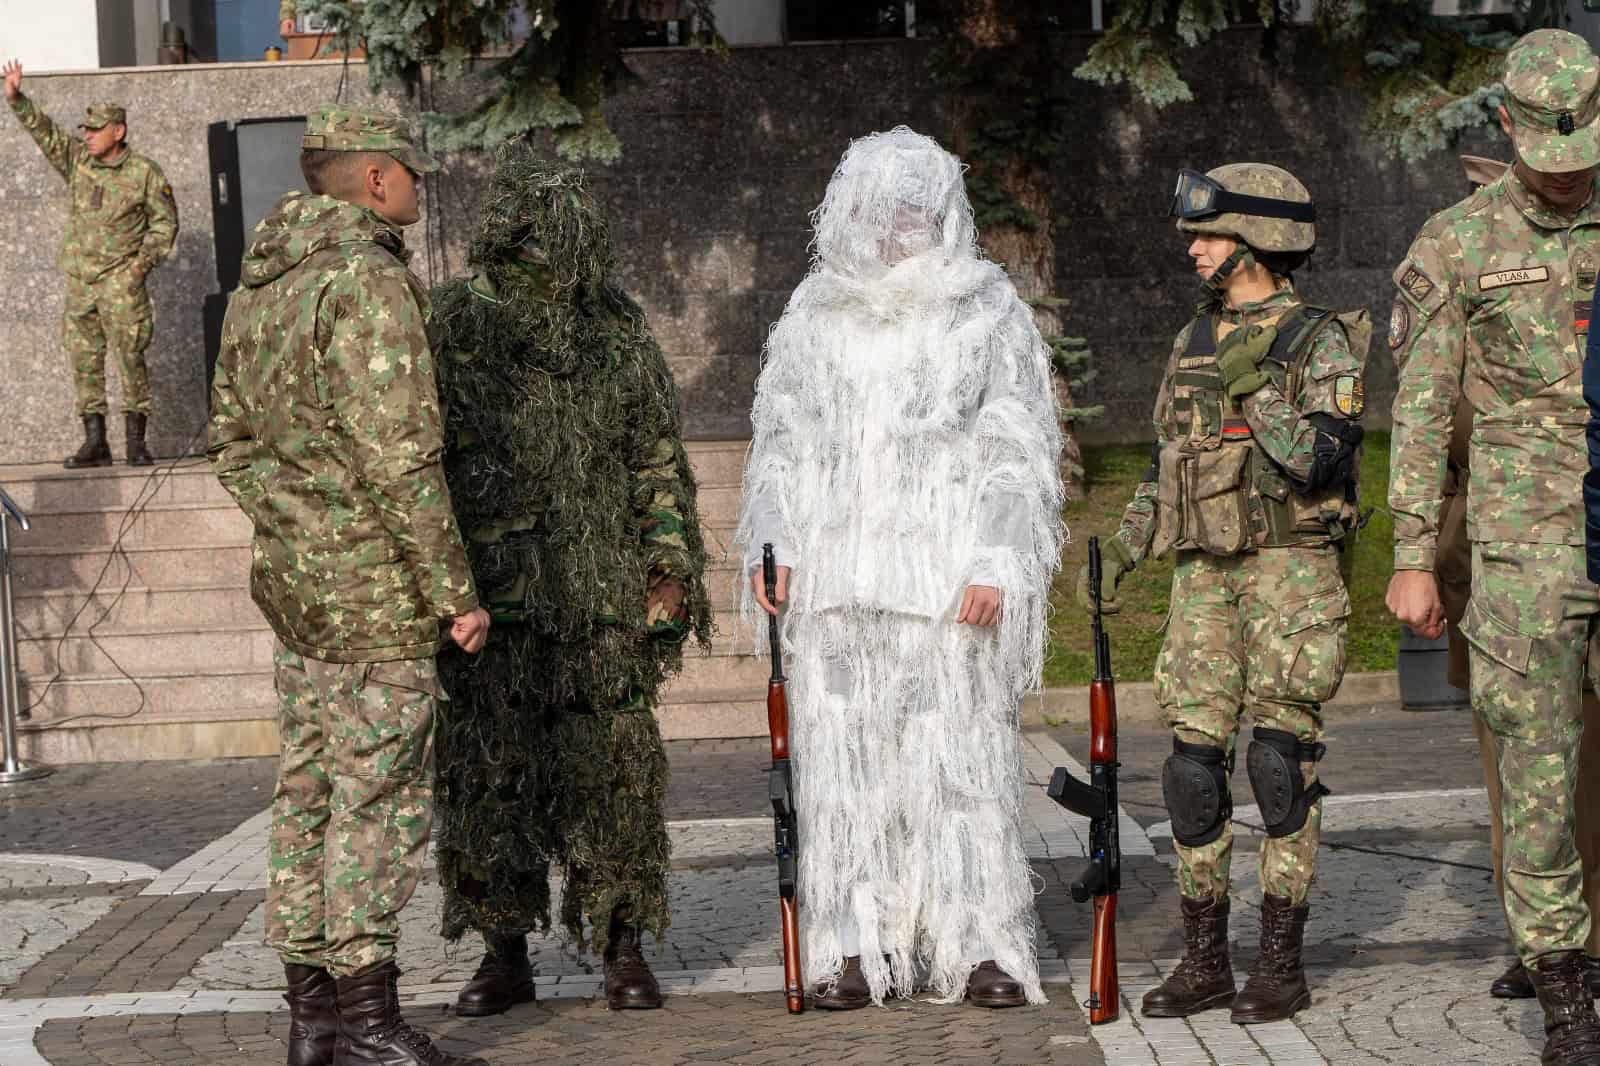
[[145, 575]]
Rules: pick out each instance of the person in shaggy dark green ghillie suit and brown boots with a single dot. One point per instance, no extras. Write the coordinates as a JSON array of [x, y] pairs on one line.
[[577, 500]]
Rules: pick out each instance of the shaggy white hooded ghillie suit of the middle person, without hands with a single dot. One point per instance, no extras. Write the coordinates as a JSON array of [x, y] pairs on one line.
[[905, 447]]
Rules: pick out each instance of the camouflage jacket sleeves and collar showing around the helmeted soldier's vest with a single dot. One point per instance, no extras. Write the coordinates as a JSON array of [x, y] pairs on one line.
[[1278, 423]]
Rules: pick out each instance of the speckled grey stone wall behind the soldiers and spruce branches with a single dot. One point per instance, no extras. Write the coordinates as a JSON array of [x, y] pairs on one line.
[[726, 159]]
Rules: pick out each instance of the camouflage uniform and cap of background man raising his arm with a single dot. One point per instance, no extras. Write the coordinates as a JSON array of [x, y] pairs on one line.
[[124, 222]]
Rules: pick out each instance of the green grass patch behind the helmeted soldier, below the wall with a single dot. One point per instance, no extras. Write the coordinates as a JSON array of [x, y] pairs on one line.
[[1111, 475]]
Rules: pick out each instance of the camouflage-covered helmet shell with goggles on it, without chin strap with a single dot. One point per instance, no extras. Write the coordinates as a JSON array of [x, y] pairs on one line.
[[1262, 183]]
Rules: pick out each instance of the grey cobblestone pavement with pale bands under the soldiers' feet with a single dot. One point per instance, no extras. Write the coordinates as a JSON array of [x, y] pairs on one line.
[[145, 945]]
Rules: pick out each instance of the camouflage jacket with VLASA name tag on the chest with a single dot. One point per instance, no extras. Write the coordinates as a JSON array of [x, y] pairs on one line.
[[1494, 305]]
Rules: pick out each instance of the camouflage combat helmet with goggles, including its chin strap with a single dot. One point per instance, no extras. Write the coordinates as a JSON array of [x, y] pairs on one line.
[[1263, 207]]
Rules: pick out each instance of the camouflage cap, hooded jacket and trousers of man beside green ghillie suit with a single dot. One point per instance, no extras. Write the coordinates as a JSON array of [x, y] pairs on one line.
[[326, 428]]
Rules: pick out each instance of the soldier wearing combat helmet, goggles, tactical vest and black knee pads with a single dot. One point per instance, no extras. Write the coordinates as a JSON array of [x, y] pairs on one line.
[[1252, 484]]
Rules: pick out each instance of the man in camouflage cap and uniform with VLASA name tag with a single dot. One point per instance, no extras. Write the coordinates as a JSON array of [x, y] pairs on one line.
[[1494, 308]]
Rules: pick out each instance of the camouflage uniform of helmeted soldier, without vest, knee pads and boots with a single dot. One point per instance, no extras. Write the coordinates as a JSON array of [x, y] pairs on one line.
[[1255, 631]]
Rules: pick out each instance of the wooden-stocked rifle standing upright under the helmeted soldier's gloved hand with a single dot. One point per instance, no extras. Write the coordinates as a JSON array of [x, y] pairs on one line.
[[1097, 801]]
